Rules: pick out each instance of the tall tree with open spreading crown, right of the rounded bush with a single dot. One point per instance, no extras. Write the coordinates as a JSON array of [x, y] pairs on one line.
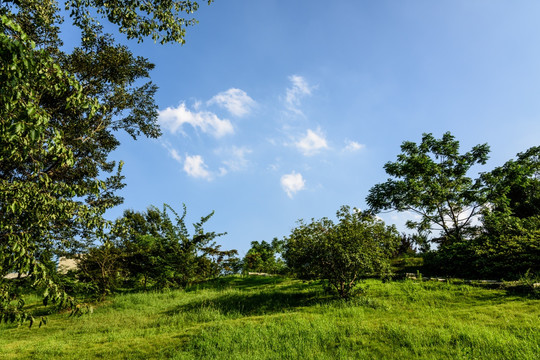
[[430, 179]]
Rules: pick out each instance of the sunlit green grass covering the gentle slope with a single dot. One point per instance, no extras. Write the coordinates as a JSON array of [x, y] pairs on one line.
[[275, 318]]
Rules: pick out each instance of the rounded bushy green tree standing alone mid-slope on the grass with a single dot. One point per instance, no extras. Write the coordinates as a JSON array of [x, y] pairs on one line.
[[358, 245]]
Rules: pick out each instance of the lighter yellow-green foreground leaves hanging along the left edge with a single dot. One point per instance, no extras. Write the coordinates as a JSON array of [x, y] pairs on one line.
[[33, 204]]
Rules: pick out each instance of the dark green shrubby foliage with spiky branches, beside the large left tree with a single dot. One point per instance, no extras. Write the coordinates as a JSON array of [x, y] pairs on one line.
[[159, 248]]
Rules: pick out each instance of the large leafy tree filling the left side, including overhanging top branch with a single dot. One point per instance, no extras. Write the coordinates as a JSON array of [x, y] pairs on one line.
[[58, 115]]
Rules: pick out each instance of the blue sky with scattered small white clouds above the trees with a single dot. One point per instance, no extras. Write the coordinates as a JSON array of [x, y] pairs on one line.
[[279, 110]]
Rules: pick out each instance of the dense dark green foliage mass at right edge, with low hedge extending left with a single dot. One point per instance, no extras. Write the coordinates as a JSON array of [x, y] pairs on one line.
[[509, 244]]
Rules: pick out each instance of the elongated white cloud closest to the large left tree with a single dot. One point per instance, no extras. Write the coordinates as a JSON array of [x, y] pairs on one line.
[[173, 119]]
